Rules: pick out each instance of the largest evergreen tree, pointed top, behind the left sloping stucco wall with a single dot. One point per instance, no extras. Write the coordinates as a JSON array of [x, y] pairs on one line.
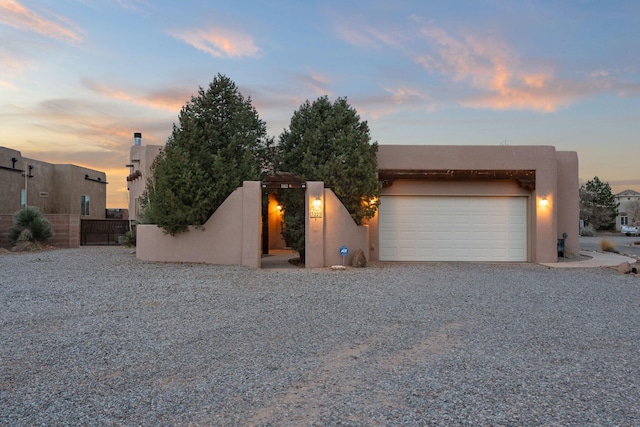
[[219, 143]]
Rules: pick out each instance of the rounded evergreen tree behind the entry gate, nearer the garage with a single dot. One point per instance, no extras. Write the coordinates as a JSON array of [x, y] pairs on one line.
[[328, 142]]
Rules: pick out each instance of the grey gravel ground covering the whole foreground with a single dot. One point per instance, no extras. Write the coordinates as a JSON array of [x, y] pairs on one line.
[[93, 336]]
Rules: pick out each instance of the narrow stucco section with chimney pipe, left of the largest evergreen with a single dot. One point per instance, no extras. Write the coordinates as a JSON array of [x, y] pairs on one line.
[[140, 160]]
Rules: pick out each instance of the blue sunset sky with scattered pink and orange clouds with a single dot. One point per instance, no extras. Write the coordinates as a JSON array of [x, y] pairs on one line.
[[79, 77]]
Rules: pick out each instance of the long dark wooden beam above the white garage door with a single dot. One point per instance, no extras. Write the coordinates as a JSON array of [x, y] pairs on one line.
[[525, 178]]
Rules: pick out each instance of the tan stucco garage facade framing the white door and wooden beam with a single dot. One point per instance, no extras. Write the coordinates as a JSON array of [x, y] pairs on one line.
[[556, 180]]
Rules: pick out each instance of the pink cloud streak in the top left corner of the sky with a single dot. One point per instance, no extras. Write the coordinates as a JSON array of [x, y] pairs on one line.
[[16, 15]]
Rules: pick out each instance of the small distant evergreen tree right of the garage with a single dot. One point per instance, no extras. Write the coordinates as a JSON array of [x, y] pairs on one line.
[[598, 205]]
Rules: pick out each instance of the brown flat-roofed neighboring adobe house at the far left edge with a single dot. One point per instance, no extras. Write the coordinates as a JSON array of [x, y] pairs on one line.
[[53, 188]]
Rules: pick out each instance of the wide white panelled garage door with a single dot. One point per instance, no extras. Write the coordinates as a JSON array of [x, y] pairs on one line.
[[426, 228]]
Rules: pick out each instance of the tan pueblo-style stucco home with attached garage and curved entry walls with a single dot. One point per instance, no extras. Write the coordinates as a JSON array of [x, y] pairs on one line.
[[438, 203]]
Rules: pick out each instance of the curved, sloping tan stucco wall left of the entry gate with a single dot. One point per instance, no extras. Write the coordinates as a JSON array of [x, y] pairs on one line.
[[231, 236]]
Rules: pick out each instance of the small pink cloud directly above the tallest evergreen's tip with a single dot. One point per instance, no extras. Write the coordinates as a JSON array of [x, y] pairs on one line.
[[219, 42]]
